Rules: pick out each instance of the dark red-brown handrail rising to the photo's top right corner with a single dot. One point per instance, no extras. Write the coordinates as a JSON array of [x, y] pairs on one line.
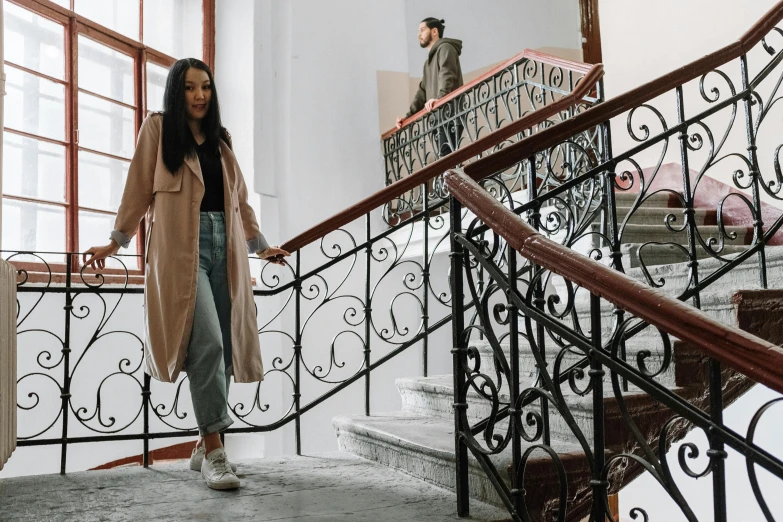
[[607, 110]]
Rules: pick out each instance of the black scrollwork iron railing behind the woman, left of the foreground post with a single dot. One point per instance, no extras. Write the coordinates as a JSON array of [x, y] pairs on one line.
[[80, 337]]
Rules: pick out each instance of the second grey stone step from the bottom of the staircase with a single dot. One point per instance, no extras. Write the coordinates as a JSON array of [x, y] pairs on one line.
[[434, 397]]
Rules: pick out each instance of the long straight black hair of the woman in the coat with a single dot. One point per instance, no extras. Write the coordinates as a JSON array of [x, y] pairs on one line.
[[177, 140]]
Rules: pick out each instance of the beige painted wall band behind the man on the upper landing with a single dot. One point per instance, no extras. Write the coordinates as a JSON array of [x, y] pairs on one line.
[[396, 89]]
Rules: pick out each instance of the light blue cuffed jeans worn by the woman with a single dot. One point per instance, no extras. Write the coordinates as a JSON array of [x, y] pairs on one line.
[[208, 363]]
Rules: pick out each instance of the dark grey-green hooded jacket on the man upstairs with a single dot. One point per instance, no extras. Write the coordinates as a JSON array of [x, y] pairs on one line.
[[442, 73]]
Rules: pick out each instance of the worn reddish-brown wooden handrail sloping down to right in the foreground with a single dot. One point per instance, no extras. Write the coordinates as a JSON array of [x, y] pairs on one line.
[[758, 359]]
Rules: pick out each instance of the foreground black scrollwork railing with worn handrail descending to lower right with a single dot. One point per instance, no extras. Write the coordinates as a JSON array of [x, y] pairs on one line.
[[539, 422]]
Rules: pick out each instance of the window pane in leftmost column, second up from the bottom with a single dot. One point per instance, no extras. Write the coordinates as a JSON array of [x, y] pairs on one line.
[[33, 168]]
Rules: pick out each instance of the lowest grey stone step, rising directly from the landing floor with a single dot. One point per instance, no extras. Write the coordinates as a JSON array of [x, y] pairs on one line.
[[423, 446]]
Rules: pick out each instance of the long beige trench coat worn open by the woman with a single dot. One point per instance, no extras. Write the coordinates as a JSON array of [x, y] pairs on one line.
[[172, 204]]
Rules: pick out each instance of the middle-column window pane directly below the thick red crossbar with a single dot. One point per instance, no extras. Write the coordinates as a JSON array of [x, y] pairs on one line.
[[105, 71]]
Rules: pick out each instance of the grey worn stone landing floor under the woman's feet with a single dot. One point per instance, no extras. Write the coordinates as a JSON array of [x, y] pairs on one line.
[[331, 487]]
